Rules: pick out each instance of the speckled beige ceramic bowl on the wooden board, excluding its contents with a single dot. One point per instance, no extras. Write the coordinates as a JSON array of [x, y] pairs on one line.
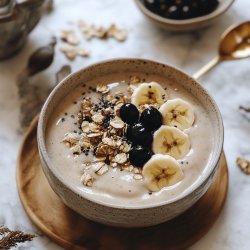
[[125, 215]]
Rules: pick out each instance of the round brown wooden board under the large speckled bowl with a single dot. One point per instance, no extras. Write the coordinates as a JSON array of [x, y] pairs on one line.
[[72, 231]]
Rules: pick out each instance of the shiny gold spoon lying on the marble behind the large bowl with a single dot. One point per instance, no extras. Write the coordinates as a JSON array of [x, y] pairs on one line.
[[234, 44]]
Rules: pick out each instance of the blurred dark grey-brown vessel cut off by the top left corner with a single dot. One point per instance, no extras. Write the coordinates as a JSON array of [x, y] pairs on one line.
[[17, 19]]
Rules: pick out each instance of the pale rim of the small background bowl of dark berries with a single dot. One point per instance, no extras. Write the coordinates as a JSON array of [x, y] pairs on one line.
[[179, 23]]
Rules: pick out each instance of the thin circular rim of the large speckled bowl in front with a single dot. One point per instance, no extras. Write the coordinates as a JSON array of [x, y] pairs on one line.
[[41, 130]]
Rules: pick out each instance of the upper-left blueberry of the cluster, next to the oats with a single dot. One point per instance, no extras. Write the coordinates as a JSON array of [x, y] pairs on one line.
[[129, 113]]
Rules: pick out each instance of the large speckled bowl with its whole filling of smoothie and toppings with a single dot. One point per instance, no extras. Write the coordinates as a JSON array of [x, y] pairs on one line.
[[130, 142]]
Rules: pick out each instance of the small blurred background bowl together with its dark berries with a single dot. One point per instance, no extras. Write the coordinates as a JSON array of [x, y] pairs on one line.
[[183, 15]]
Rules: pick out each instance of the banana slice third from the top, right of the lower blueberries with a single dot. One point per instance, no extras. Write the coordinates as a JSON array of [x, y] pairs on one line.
[[171, 141]]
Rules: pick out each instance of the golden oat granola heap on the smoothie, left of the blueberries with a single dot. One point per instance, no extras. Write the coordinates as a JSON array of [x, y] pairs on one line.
[[102, 134]]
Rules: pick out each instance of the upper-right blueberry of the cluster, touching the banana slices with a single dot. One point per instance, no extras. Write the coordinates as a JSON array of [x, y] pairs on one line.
[[151, 118]]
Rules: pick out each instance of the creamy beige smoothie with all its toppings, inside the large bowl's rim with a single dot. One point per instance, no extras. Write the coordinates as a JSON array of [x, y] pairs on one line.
[[130, 140]]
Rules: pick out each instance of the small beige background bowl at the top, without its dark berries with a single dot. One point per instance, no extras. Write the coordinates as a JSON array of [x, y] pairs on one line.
[[188, 24]]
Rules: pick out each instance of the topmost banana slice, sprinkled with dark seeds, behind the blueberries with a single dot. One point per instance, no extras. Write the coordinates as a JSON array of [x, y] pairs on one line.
[[148, 93]]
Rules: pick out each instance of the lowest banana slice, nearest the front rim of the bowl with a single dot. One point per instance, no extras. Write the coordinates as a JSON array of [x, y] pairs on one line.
[[161, 171]]
